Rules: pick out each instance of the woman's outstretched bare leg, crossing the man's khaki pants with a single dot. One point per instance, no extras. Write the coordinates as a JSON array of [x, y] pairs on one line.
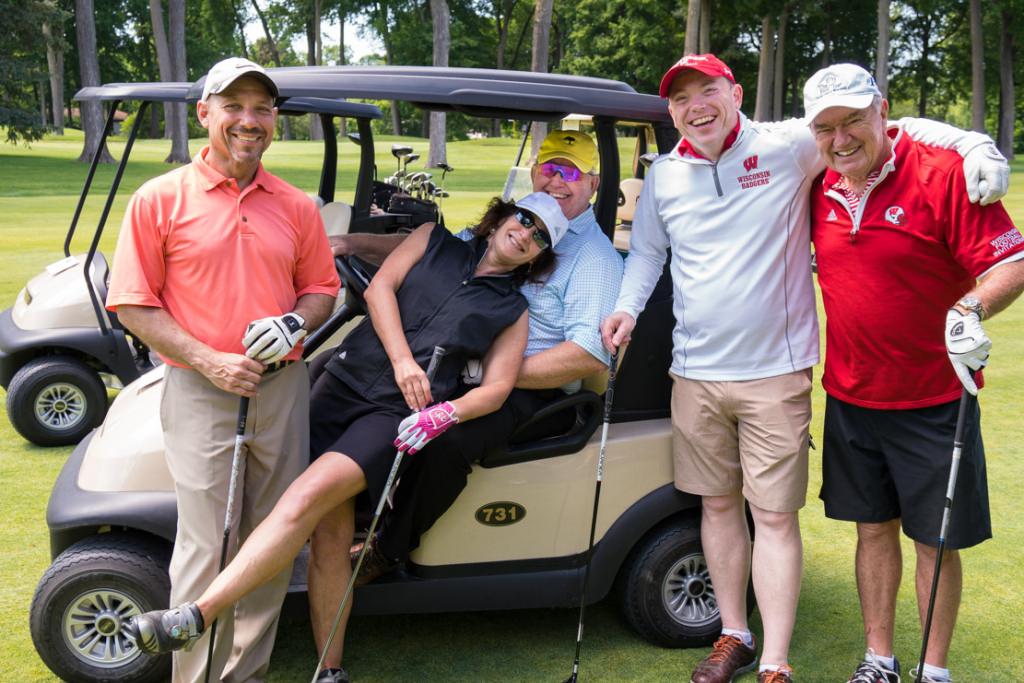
[[332, 480]]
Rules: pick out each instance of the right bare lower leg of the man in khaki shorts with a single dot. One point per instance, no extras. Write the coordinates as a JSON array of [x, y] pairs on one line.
[[778, 567]]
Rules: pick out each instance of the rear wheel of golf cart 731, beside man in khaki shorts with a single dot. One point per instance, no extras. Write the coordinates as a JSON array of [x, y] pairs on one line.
[[663, 567]]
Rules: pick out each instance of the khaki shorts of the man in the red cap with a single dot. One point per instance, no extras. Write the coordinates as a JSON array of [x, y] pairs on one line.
[[749, 437]]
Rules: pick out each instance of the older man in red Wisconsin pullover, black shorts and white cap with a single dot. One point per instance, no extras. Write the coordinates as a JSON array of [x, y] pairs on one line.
[[903, 259]]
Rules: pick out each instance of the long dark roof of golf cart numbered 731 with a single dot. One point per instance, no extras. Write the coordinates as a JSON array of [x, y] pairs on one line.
[[481, 93]]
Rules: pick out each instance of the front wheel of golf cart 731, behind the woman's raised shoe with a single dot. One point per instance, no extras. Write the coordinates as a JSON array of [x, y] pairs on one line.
[[112, 577]]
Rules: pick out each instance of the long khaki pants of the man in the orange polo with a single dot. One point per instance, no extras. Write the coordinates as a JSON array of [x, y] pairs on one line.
[[200, 422]]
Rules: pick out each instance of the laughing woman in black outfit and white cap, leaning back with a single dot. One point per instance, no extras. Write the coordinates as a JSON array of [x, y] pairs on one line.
[[435, 290]]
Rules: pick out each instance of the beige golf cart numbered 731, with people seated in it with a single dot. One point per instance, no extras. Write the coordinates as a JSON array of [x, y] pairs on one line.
[[518, 536]]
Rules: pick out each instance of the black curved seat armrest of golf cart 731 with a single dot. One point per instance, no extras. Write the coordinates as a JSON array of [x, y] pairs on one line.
[[582, 411]]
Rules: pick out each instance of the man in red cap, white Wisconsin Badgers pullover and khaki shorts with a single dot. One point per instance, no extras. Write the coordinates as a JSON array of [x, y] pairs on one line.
[[732, 203]]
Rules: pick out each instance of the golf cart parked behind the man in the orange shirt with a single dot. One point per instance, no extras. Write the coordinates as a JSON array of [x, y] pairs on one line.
[[60, 349]]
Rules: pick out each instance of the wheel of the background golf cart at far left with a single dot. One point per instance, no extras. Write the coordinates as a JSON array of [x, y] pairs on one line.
[[63, 379]]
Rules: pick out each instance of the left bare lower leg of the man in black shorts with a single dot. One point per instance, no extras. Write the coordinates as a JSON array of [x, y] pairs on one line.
[[880, 570]]
